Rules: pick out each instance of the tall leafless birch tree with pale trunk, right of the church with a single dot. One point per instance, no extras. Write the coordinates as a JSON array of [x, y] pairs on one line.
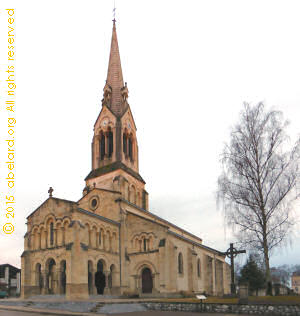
[[259, 181]]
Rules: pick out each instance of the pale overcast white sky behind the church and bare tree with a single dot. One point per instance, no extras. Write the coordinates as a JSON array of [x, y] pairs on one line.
[[189, 66]]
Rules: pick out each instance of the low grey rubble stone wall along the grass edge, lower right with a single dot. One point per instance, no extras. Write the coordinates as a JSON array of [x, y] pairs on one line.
[[280, 310]]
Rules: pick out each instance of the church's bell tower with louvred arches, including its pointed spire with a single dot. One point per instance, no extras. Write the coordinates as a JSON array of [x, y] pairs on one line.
[[114, 147]]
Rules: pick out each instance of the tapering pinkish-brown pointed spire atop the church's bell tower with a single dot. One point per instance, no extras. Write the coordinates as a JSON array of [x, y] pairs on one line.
[[115, 93]]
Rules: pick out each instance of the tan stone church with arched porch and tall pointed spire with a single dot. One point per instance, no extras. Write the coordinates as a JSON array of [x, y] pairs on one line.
[[108, 242]]
